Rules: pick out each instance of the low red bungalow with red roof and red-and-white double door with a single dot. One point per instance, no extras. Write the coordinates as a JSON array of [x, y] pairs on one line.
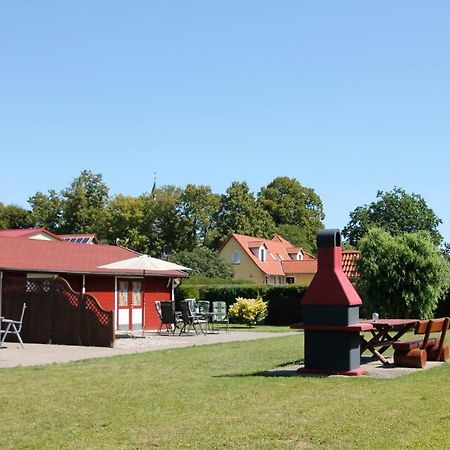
[[28, 257]]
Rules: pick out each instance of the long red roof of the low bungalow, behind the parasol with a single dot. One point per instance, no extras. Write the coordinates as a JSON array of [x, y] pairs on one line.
[[31, 255]]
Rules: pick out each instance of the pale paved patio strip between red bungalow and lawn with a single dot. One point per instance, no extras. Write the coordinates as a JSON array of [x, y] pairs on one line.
[[13, 355]]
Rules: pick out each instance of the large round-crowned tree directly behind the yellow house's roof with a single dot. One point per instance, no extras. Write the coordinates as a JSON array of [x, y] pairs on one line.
[[290, 203]]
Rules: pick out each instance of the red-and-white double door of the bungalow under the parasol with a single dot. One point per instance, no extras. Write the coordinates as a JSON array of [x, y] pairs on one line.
[[129, 305]]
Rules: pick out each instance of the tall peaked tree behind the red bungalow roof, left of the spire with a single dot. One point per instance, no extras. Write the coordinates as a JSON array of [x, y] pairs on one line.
[[83, 203]]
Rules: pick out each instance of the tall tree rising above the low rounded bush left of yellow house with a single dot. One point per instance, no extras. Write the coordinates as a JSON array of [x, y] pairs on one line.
[[196, 209]]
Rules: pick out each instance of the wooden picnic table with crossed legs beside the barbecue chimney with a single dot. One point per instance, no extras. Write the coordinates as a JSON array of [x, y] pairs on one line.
[[385, 333]]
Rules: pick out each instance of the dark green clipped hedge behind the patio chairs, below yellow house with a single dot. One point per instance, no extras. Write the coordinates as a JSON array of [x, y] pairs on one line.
[[283, 301]]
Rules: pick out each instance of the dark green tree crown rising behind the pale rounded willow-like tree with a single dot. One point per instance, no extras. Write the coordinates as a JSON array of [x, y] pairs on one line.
[[396, 212]]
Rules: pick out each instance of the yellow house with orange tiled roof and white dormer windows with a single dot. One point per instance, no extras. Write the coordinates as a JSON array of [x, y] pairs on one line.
[[268, 261]]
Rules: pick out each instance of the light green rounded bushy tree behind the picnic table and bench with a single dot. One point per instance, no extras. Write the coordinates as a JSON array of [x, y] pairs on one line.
[[401, 276]]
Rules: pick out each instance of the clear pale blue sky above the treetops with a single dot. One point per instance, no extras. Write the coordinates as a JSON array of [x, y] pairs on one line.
[[348, 97]]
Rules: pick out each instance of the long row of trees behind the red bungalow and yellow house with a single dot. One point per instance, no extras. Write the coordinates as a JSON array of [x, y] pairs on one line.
[[169, 219]]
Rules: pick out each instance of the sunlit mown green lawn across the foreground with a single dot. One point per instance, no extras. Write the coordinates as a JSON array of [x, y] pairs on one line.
[[218, 397]]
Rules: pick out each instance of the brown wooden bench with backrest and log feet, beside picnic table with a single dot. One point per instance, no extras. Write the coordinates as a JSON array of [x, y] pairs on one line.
[[416, 352]]
